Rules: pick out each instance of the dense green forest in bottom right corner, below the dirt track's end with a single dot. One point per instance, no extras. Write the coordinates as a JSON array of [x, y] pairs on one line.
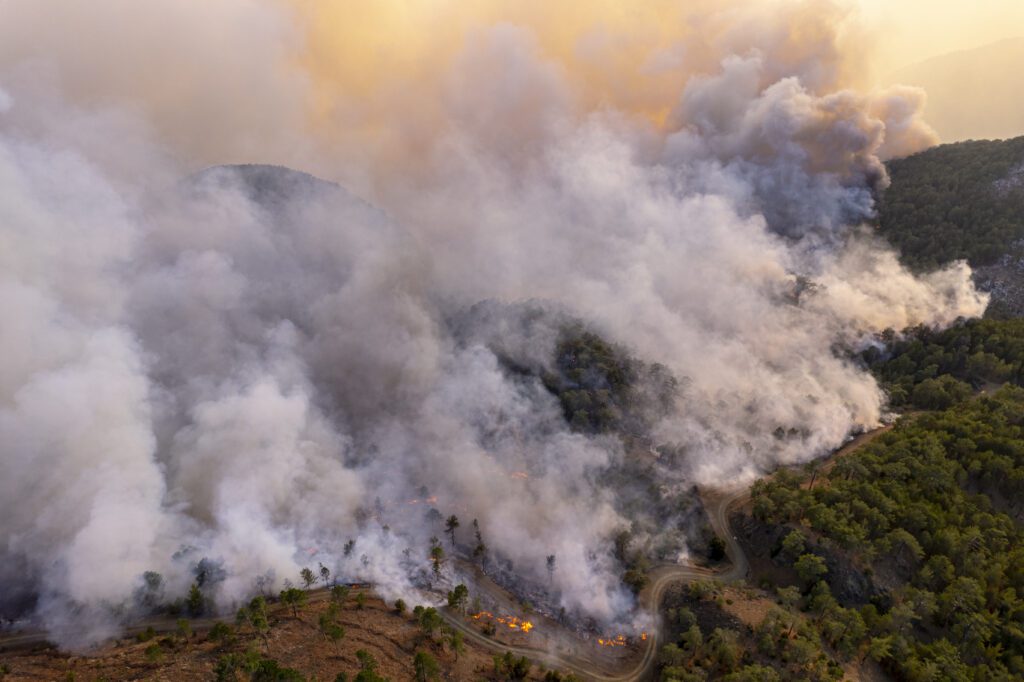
[[933, 508]]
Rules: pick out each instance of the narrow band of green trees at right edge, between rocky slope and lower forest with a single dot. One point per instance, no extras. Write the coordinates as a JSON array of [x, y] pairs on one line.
[[932, 370]]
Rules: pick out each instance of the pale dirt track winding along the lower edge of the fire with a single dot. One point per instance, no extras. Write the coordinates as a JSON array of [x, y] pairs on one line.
[[719, 505]]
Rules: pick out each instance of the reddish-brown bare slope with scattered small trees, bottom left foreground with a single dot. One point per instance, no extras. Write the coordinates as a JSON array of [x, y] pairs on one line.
[[294, 649]]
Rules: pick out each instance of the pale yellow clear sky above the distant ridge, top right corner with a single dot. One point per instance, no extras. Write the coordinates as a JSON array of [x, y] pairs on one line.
[[910, 31]]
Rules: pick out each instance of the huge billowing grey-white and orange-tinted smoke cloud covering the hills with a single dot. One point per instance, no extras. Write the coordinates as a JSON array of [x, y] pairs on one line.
[[232, 373]]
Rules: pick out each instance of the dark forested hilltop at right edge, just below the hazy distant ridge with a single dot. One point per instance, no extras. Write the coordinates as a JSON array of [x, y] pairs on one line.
[[956, 201]]
